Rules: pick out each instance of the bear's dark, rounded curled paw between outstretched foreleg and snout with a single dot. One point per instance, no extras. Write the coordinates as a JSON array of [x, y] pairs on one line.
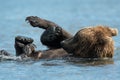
[[52, 37]]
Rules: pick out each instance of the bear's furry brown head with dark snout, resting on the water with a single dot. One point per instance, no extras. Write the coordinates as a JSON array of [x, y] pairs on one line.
[[92, 42]]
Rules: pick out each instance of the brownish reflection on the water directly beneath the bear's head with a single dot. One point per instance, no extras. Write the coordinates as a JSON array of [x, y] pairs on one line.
[[90, 62]]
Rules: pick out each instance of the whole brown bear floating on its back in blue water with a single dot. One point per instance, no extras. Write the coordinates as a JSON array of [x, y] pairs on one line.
[[93, 42]]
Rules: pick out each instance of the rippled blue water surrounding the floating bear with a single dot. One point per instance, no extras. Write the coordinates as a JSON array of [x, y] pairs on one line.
[[72, 15]]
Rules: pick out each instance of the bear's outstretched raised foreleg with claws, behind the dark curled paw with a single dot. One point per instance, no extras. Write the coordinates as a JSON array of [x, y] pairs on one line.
[[44, 24]]
